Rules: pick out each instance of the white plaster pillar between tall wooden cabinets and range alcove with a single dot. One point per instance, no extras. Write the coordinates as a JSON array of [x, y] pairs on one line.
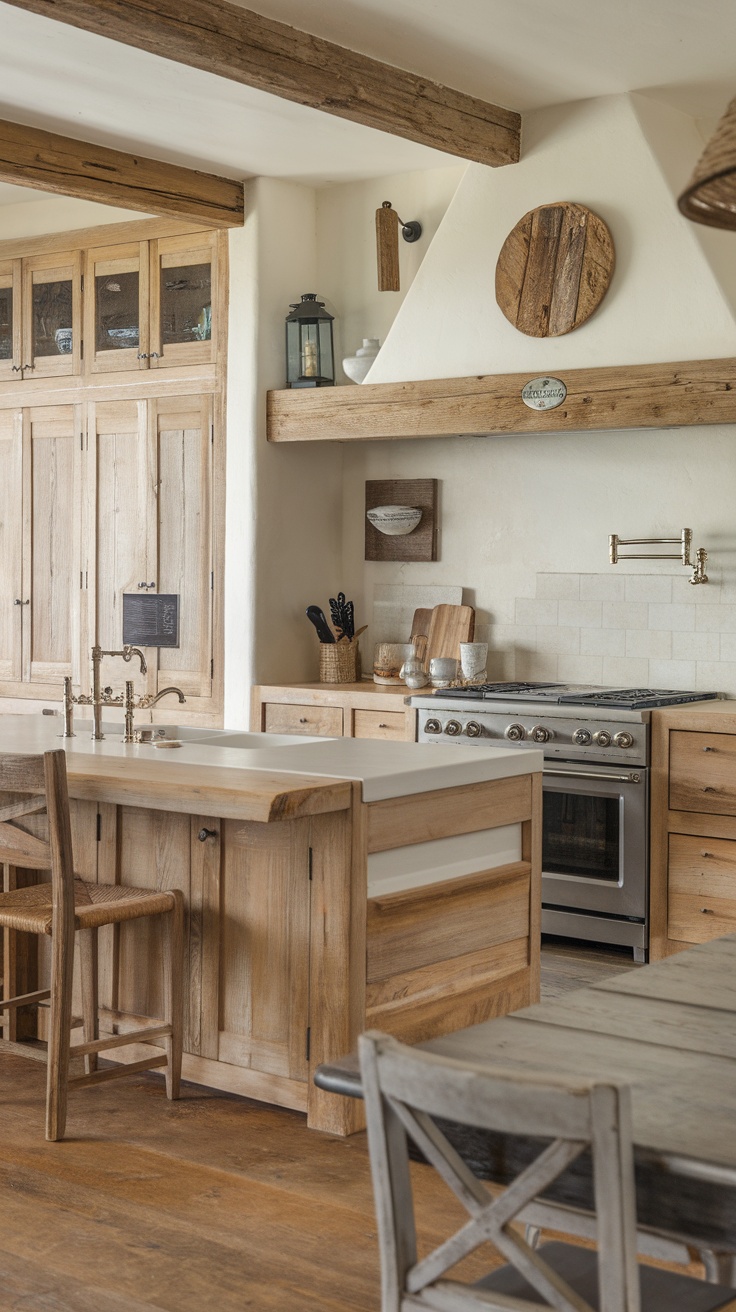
[[284, 503]]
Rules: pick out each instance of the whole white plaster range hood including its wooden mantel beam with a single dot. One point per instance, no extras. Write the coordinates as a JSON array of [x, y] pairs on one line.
[[670, 300]]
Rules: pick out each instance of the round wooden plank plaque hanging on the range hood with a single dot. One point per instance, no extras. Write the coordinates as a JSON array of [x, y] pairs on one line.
[[554, 270]]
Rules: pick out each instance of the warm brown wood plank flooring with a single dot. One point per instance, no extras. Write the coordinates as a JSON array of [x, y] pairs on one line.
[[207, 1204]]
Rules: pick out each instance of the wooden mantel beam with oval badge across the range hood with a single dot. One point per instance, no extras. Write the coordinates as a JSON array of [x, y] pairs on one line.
[[672, 396]]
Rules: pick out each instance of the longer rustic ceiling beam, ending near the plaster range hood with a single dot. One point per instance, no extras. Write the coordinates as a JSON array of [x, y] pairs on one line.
[[243, 47]]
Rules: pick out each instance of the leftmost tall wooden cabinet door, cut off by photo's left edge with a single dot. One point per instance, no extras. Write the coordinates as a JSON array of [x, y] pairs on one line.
[[11, 545]]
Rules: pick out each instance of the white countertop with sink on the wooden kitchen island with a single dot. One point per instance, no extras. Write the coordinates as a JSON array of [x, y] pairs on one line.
[[384, 769]]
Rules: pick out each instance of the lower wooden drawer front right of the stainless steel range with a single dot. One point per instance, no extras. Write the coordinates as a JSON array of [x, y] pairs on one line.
[[703, 889]]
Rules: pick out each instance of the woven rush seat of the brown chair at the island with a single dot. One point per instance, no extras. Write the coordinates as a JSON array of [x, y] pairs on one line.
[[31, 910]]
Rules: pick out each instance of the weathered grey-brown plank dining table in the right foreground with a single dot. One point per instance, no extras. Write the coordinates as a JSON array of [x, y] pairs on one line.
[[670, 1032]]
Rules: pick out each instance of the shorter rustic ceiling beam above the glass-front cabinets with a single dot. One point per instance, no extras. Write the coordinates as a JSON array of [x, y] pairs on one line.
[[33, 158]]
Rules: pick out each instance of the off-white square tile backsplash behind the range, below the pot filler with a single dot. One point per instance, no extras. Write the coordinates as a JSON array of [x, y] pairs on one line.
[[626, 630]]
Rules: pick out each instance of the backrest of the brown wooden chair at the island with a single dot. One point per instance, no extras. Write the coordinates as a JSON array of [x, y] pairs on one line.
[[32, 788]]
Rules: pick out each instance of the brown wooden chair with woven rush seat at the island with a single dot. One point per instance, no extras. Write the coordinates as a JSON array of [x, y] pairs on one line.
[[36, 834]]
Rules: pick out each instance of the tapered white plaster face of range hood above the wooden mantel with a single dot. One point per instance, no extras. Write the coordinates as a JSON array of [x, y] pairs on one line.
[[664, 302]]
